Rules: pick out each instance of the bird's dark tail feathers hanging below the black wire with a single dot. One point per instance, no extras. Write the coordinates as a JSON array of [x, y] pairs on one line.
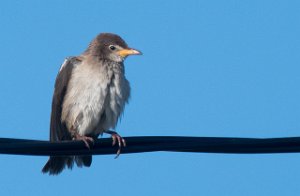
[[56, 164]]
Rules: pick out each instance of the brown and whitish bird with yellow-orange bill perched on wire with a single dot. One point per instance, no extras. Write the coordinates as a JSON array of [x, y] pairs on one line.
[[89, 97]]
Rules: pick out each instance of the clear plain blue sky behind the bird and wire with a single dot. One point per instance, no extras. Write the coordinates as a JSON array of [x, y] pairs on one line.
[[210, 68]]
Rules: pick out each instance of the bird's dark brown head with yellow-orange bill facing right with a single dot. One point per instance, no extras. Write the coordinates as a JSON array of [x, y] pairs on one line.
[[110, 47]]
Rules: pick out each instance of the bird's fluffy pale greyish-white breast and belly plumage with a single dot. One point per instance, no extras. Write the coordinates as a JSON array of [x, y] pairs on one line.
[[92, 92]]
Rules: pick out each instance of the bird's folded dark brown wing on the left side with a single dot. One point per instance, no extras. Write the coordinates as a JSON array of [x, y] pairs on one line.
[[58, 130]]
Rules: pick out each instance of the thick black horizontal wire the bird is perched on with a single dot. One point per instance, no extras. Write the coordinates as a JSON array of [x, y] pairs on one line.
[[153, 144]]
